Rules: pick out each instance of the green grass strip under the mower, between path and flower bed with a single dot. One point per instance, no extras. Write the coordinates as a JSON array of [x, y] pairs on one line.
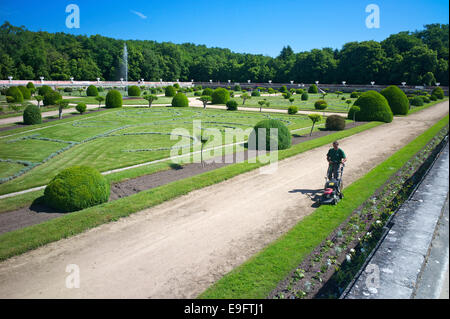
[[258, 276]]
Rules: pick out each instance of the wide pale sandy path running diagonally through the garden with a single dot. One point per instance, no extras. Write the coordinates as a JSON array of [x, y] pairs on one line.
[[179, 248]]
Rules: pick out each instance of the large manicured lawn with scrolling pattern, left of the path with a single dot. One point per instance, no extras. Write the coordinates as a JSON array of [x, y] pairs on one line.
[[118, 138]]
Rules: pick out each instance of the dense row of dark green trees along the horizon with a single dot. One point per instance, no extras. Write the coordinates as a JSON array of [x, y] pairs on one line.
[[405, 56]]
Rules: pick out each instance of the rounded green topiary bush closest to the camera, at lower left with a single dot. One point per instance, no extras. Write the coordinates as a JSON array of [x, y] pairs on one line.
[[77, 188]]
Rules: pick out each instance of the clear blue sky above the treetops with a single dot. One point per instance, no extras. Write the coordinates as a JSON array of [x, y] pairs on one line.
[[251, 26]]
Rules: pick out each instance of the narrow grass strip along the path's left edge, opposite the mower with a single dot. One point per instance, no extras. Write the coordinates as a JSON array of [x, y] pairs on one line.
[[28, 238]]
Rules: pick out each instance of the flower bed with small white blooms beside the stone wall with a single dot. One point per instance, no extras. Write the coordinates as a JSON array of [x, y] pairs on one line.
[[329, 269]]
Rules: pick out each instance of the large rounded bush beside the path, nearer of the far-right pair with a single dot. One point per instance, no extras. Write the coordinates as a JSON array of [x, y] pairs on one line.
[[373, 107]]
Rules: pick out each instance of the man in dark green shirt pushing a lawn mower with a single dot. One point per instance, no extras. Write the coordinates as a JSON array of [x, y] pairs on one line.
[[333, 185]]
